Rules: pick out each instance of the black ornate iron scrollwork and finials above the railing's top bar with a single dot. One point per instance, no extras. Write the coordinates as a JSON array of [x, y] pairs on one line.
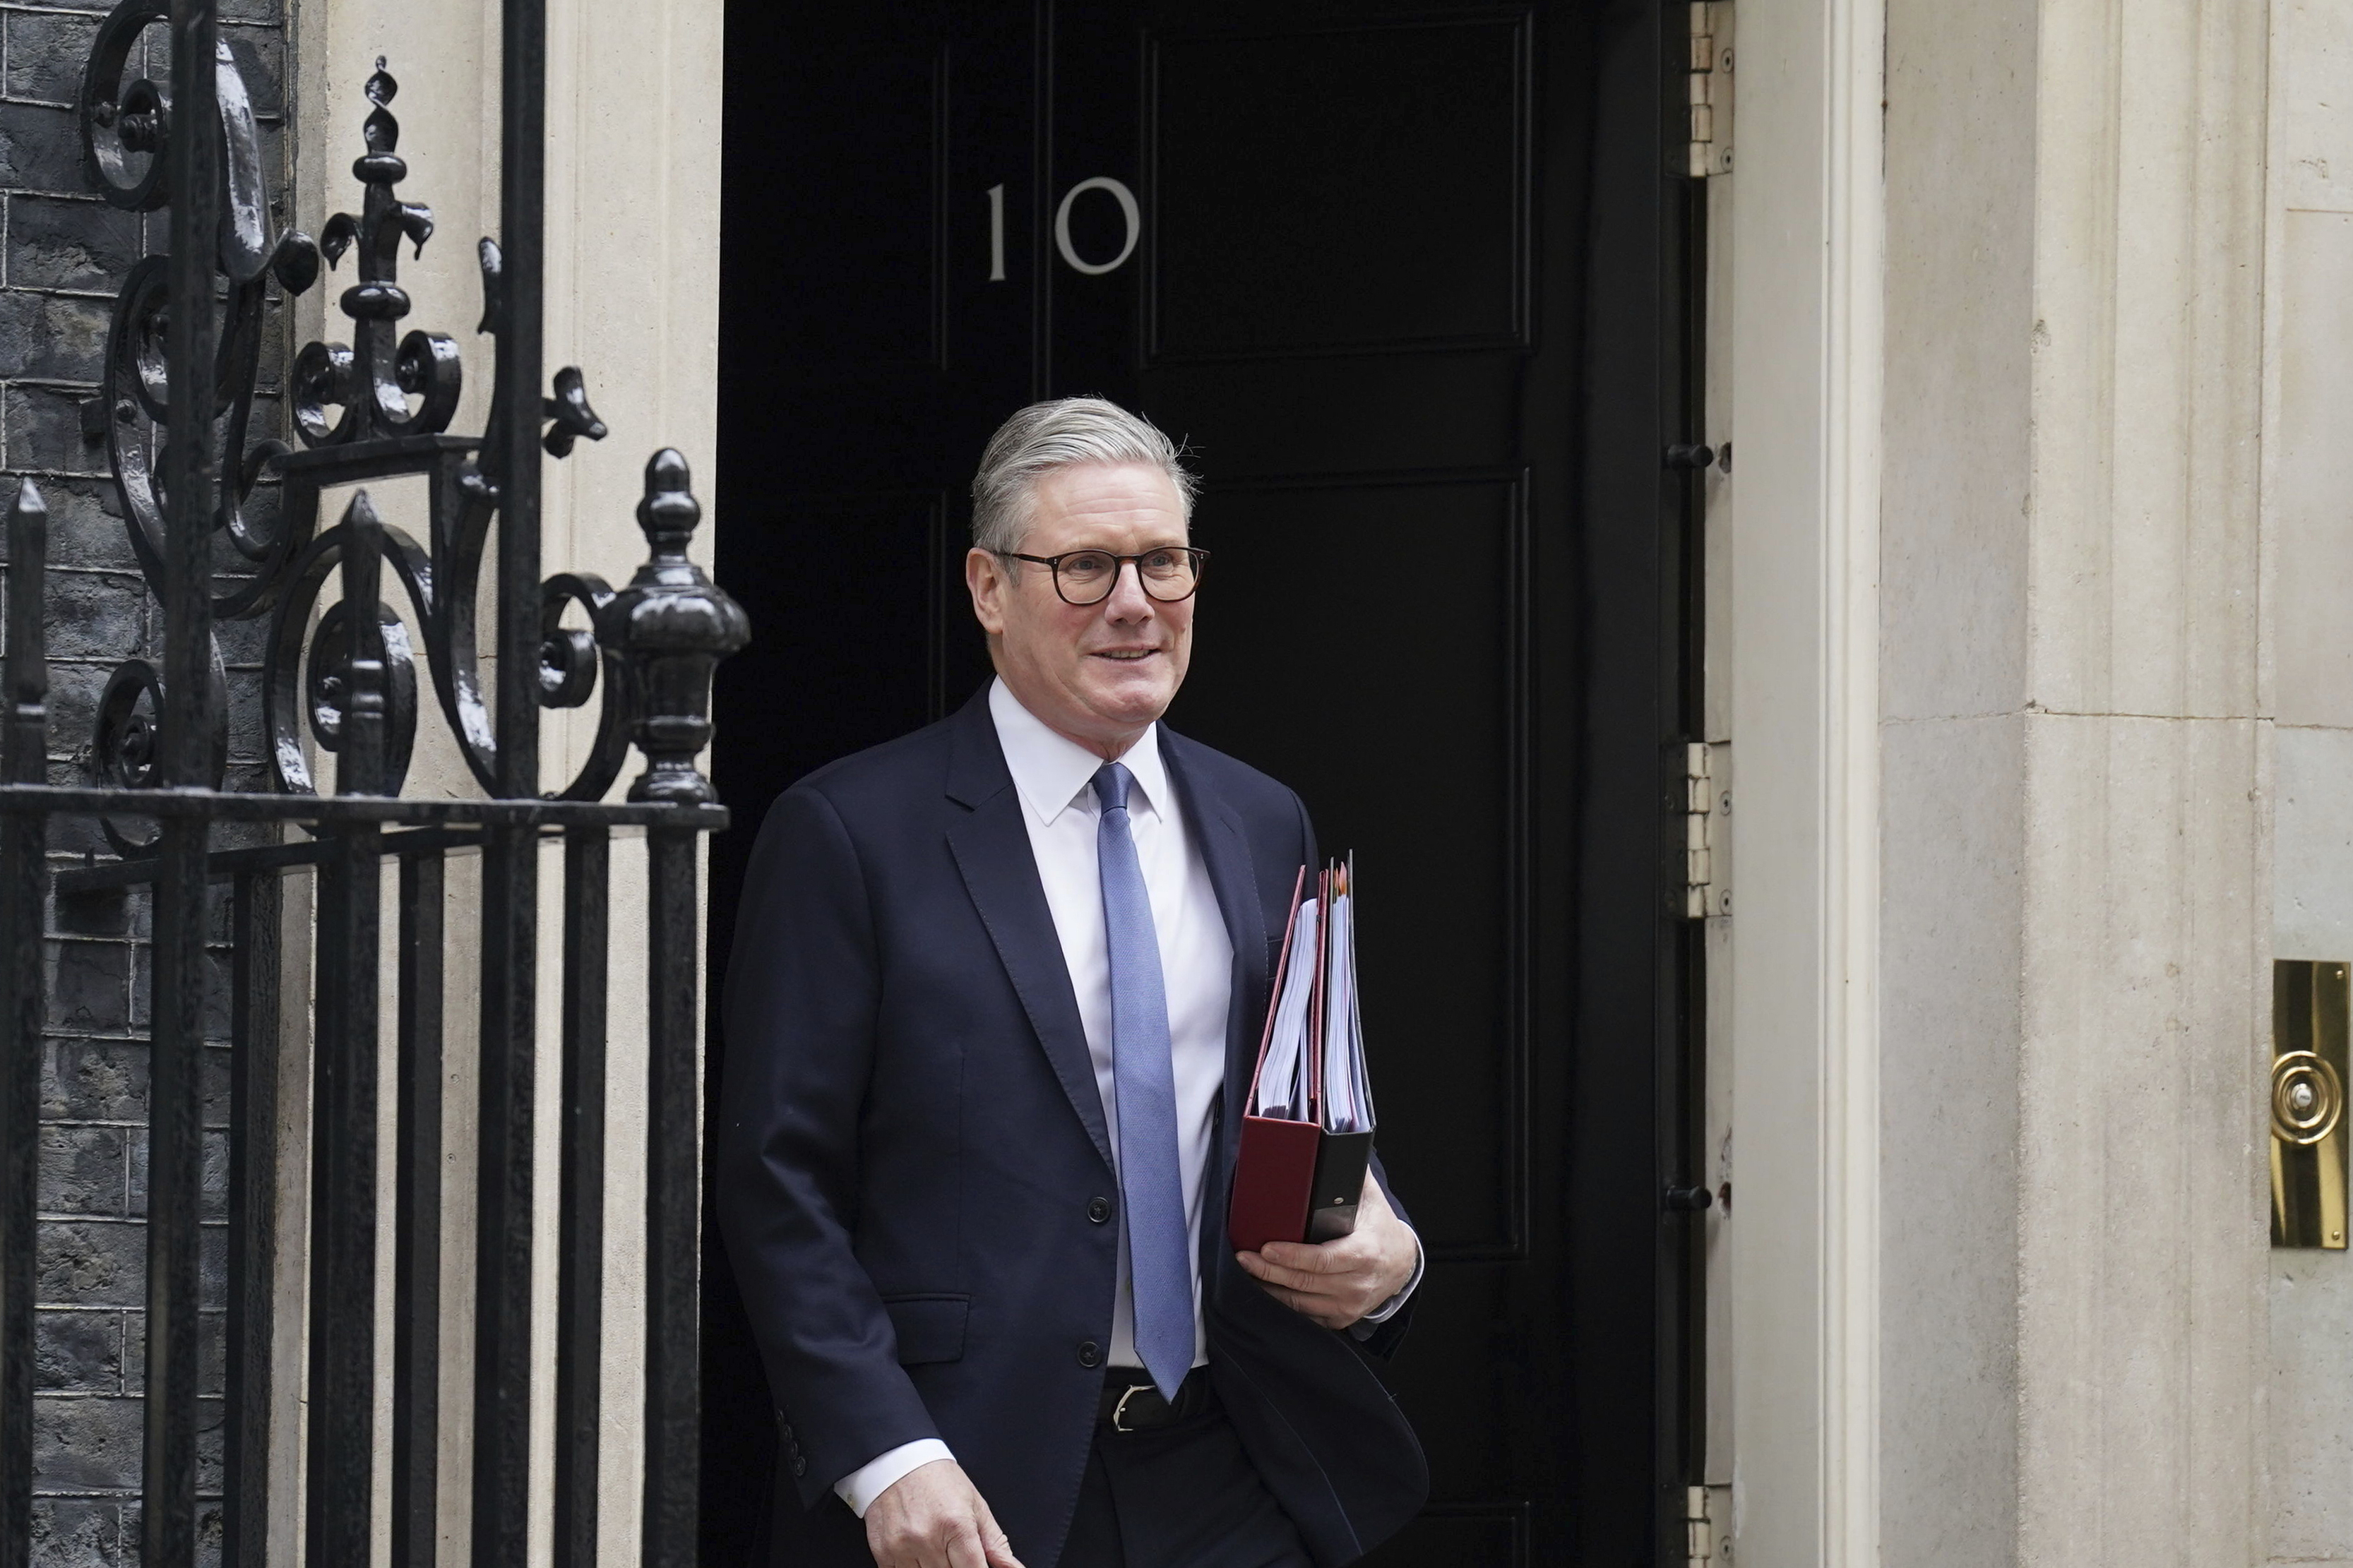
[[375, 408]]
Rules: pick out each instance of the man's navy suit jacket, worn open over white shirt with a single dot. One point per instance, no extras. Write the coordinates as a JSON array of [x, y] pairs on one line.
[[912, 1139]]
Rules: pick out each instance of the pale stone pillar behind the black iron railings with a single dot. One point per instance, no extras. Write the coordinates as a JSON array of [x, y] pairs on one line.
[[632, 279]]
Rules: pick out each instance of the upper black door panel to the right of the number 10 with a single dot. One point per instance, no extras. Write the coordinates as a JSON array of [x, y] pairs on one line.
[[1324, 227]]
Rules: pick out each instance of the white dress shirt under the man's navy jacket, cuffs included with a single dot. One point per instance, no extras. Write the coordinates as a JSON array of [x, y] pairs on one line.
[[1055, 782]]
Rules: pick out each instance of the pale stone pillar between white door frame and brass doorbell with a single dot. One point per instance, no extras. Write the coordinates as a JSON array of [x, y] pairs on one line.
[[2077, 916]]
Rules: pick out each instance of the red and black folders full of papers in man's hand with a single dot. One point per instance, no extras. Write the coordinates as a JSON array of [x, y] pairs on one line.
[[1307, 1132]]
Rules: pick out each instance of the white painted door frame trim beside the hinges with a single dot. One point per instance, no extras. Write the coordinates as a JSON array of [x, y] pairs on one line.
[[1804, 674]]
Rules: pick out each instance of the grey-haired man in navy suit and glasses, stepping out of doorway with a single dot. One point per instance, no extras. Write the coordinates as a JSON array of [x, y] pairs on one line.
[[992, 1014]]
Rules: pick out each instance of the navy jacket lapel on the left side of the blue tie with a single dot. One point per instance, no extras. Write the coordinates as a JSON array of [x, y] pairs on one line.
[[1001, 876]]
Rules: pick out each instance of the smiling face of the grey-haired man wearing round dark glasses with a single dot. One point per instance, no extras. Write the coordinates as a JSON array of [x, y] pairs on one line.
[[1095, 674]]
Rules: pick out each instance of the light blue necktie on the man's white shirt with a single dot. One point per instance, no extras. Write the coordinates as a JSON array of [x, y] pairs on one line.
[[1145, 1076]]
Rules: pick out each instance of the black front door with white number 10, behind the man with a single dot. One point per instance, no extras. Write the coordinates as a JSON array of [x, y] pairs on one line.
[[1406, 283]]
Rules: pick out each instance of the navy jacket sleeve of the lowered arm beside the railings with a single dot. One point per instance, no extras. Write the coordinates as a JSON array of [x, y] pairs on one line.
[[804, 993]]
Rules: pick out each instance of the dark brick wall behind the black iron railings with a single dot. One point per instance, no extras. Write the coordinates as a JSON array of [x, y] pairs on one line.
[[62, 257]]
